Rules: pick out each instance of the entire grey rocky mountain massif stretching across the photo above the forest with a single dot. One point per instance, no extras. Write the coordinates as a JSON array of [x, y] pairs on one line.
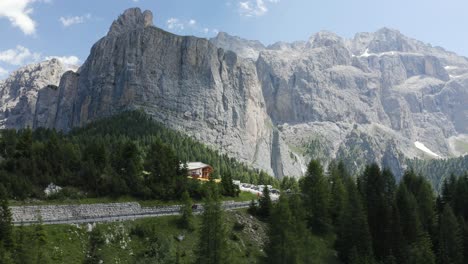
[[377, 97]]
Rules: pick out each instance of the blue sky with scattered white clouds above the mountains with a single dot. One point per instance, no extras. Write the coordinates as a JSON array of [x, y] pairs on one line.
[[34, 30]]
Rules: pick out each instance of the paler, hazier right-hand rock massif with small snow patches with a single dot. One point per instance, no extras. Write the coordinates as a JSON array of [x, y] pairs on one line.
[[375, 98]]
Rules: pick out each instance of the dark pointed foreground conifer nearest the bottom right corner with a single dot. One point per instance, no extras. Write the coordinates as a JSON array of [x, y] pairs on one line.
[[449, 238]]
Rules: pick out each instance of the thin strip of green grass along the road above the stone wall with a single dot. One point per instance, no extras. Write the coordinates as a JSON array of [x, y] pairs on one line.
[[243, 196]]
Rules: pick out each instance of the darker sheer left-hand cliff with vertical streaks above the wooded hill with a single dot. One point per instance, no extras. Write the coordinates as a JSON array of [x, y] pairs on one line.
[[185, 82]]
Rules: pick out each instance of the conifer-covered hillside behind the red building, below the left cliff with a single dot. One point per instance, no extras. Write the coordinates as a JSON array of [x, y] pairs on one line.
[[127, 154]]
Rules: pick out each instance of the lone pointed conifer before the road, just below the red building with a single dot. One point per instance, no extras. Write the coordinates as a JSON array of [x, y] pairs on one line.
[[212, 245]]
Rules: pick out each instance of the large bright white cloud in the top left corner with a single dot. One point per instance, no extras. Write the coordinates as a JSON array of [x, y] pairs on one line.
[[18, 12]]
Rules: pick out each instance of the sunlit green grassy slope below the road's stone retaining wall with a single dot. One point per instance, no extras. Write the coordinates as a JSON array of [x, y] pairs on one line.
[[69, 243]]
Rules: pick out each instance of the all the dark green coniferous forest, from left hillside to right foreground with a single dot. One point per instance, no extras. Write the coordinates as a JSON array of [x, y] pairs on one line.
[[368, 218]]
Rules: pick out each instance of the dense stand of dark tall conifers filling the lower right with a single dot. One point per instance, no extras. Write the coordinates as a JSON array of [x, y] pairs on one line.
[[374, 219]]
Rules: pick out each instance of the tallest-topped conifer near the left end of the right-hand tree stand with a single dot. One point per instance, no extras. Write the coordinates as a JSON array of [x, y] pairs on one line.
[[315, 189]]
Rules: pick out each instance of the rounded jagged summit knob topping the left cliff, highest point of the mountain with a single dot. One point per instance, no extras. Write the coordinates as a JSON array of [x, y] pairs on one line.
[[131, 19]]
